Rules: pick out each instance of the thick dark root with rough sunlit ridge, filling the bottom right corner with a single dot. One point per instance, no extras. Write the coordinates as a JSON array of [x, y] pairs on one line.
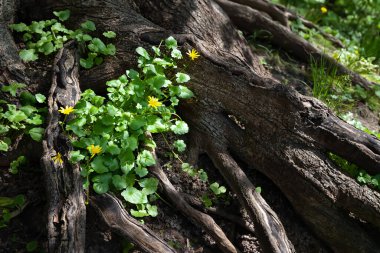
[[330, 202]]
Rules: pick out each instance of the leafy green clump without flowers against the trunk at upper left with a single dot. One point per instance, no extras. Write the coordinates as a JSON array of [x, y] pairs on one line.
[[48, 36]]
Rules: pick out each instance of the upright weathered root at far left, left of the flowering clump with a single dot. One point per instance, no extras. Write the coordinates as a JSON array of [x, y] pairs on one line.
[[66, 210]]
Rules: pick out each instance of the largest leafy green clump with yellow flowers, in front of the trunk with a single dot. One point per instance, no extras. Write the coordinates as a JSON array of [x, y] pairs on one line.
[[110, 134]]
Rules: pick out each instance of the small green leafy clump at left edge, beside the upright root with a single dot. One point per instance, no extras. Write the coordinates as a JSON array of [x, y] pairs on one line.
[[26, 118]]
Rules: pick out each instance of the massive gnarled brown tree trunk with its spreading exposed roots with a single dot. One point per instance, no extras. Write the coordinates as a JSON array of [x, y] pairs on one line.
[[242, 115]]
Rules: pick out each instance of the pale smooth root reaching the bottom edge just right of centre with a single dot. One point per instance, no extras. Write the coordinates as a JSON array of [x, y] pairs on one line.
[[270, 230]]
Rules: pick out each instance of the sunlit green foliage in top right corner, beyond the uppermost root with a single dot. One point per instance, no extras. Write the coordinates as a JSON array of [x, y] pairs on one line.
[[355, 22]]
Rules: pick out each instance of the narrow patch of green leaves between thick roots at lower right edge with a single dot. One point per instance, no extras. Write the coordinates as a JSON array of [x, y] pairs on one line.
[[354, 171]]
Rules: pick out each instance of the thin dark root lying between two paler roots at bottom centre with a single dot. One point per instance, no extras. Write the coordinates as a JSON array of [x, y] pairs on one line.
[[219, 212]]
